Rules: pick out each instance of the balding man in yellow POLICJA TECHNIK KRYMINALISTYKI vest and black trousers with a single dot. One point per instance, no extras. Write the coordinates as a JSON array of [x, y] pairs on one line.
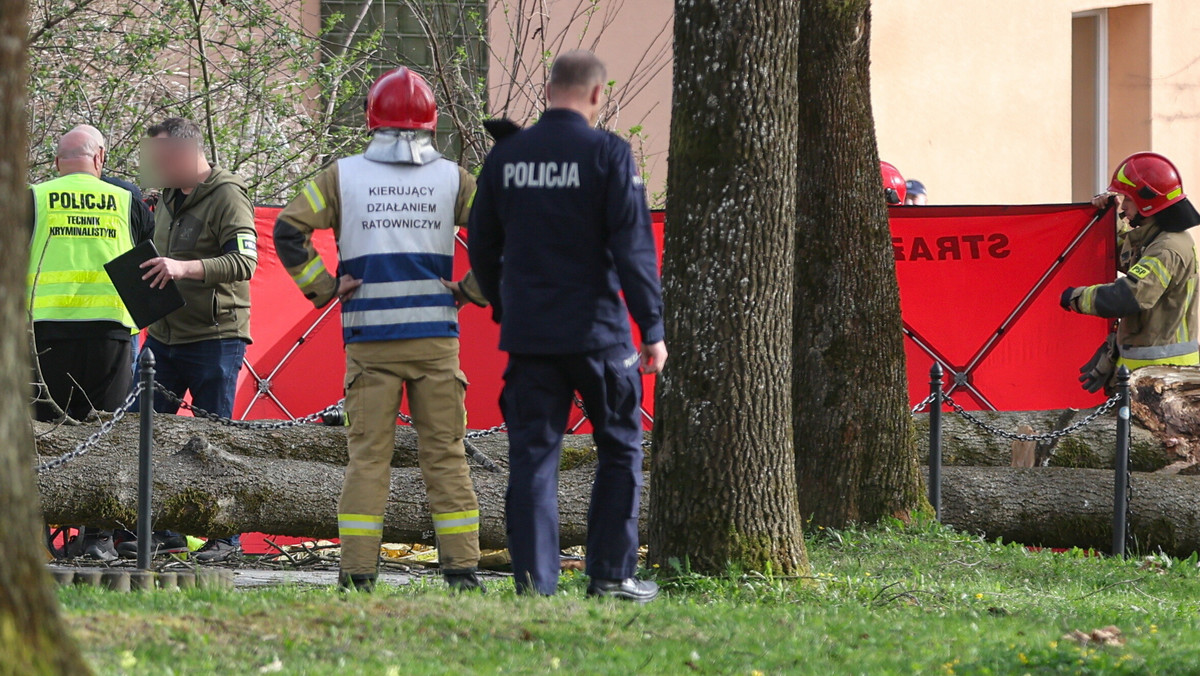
[[81, 327]]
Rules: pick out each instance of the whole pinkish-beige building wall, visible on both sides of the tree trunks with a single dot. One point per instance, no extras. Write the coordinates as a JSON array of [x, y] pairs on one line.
[[986, 101]]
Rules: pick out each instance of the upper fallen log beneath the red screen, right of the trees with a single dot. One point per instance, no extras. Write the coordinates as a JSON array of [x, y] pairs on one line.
[[1093, 447]]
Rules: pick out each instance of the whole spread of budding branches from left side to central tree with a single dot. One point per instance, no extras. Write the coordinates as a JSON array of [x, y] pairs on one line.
[[279, 99]]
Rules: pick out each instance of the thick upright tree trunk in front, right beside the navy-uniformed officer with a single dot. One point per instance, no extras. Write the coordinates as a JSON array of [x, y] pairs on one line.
[[724, 475]]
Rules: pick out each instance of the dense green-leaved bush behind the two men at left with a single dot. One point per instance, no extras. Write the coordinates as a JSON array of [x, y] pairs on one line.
[[245, 70]]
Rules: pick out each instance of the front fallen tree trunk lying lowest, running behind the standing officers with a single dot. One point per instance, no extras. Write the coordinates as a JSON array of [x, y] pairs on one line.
[[209, 488]]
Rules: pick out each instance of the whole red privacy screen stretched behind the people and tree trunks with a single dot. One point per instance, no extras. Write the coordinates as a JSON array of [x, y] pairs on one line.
[[979, 289]]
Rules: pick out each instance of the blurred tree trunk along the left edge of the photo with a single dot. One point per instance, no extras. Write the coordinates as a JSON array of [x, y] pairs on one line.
[[33, 638]]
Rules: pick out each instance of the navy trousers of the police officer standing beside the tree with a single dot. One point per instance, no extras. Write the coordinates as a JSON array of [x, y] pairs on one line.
[[537, 402]]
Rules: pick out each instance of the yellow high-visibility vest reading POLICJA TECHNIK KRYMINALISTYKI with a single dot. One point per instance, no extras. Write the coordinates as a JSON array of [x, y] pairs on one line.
[[80, 224]]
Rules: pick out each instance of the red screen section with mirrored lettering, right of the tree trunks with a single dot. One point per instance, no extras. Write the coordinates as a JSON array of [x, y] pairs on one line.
[[980, 292]]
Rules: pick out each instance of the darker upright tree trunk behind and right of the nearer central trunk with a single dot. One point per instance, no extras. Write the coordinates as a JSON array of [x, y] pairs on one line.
[[855, 453]]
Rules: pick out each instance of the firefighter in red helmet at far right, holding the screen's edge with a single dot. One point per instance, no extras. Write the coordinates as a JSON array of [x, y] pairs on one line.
[[1155, 300]]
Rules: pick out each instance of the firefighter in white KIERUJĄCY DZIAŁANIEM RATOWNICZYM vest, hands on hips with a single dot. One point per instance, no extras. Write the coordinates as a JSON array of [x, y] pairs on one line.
[[394, 211]]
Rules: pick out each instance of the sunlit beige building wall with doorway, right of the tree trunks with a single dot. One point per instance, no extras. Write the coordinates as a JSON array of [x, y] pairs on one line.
[[976, 98]]
